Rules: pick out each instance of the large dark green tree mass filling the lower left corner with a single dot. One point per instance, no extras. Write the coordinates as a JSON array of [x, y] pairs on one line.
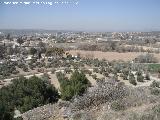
[[25, 94]]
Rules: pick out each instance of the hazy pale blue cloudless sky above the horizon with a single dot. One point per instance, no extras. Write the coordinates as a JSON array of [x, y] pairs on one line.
[[88, 15]]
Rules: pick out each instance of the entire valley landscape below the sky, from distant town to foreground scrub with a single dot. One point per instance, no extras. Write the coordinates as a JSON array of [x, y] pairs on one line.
[[59, 75]]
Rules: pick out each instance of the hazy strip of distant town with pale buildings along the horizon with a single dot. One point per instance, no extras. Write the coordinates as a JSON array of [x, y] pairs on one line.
[[39, 38]]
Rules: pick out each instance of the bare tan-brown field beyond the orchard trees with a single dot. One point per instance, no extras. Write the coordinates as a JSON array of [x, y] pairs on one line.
[[128, 56]]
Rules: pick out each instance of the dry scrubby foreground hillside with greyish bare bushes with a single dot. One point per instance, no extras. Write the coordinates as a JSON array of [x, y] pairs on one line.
[[108, 100]]
